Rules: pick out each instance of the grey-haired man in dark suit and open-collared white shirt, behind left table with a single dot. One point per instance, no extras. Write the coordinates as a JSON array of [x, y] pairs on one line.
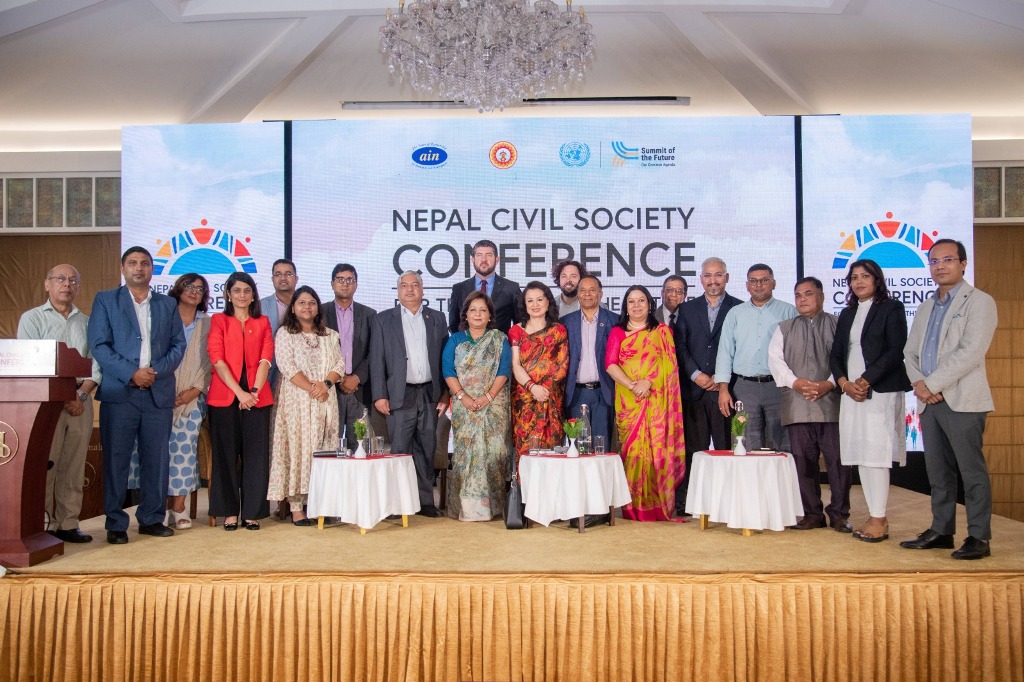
[[406, 346]]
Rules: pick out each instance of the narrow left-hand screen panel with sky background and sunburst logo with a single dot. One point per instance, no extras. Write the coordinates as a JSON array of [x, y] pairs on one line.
[[205, 199]]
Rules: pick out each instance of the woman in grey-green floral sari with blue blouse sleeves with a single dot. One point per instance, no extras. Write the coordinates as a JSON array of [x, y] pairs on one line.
[[477, 364]]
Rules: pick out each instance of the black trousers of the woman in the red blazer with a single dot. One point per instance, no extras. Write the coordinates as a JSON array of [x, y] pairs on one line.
[[240, 438]]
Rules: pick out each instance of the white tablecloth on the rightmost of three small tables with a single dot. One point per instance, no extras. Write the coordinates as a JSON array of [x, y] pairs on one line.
[[756, 492]]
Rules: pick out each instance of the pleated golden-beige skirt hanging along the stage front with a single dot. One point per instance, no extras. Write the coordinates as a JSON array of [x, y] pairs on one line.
[[543, 628]]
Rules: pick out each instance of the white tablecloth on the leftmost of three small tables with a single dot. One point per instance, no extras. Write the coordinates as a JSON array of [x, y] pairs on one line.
[[363, 492]]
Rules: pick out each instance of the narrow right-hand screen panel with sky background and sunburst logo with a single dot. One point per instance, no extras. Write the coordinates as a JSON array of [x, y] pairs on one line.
[[885, 188]]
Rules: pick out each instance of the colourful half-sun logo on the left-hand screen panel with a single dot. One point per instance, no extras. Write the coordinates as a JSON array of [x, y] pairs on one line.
[[203, 250]]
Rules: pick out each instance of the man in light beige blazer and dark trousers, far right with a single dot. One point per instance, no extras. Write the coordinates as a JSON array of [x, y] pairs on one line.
[[946, 361]]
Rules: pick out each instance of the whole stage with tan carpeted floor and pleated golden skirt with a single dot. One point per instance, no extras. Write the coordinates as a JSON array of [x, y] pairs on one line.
[[444, 601]]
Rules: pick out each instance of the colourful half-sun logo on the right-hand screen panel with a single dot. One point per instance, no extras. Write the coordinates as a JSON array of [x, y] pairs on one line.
[[889, 243]]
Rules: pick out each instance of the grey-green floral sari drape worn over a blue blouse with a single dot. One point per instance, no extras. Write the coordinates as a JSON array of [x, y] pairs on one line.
[[478, 482]]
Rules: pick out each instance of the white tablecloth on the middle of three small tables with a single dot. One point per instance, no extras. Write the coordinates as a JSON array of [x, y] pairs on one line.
[[563, 488]]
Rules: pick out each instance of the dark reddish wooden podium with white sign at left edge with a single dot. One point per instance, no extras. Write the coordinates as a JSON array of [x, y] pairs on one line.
[[36, 379]]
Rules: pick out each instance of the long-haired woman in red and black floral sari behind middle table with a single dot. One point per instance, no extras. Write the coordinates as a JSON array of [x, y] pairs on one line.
[[540, 361]]
